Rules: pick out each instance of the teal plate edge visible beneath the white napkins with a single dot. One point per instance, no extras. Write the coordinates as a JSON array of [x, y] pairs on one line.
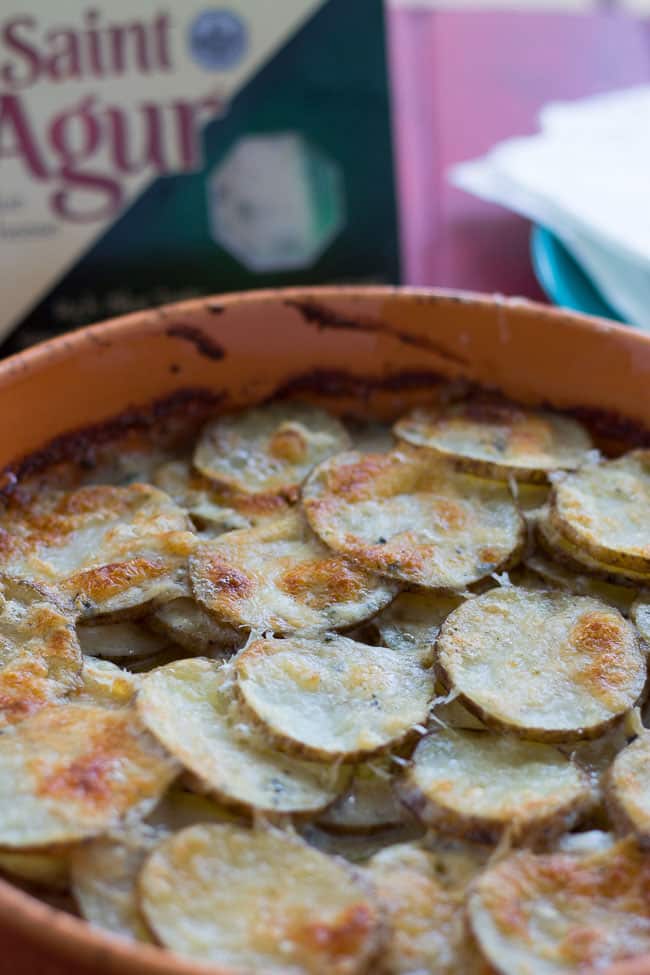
[[563, 279]]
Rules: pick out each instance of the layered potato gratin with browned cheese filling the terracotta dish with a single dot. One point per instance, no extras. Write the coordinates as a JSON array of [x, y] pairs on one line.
[[260, 608]]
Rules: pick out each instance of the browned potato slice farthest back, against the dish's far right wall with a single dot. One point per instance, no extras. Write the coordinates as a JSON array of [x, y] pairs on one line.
[[498, 439]]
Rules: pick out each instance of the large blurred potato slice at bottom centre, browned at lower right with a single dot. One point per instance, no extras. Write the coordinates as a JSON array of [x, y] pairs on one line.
[[213, 893]]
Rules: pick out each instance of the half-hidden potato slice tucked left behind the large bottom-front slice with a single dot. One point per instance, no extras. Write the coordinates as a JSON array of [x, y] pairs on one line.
[[104, 874]]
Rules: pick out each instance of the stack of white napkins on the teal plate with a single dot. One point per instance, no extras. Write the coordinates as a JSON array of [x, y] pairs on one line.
[[585, 176]]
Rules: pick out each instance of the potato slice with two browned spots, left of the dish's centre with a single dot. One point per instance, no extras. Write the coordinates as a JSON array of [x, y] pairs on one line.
[[280, 577]]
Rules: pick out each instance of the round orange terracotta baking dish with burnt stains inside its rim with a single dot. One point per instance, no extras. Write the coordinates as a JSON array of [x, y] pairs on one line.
[[362, 349]]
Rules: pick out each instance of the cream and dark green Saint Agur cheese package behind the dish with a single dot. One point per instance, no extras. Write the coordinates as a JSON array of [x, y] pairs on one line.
[[152, 151]]
